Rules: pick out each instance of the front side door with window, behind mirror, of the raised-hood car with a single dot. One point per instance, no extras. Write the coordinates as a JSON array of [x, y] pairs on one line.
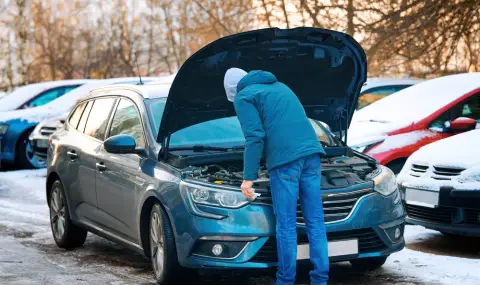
[[121, 178]]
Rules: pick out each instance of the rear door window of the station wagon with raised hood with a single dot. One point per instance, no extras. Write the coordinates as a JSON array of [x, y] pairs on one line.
[[98, 119]]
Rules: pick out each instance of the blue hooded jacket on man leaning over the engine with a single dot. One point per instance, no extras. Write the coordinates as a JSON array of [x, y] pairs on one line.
[[273, 121]]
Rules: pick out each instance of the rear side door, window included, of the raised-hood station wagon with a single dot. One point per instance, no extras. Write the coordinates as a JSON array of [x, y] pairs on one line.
[[92, 128]]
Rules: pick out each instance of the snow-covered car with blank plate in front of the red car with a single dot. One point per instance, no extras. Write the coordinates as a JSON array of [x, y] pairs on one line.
[[440, 184]]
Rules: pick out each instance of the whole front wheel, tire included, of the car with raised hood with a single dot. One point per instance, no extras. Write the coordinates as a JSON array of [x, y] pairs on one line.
[[163, 252]]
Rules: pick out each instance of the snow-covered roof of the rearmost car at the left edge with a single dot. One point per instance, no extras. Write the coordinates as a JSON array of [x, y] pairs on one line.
[[22, 94]]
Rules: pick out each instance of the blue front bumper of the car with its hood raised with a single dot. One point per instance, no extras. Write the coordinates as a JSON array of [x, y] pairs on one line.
[[373, 216]]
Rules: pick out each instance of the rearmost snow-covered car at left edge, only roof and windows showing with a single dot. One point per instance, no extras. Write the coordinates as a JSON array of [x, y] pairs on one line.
[[38, 94]]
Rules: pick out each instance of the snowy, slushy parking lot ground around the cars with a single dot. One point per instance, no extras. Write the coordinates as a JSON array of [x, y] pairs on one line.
[[28, 254]]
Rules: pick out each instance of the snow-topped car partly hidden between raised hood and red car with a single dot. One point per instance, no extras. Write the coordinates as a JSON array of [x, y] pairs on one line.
[[378, 88]]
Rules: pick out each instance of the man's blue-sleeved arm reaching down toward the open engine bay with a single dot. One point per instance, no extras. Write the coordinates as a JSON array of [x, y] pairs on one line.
[[254, 134]]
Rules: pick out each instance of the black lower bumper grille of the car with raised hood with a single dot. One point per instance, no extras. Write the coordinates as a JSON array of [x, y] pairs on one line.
[[368, 241]]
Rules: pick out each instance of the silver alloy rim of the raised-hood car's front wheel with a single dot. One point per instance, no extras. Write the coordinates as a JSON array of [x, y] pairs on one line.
[[157, 244]]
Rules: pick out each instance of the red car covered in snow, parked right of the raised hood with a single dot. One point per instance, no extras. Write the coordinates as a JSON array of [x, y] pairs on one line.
[[391, 129]]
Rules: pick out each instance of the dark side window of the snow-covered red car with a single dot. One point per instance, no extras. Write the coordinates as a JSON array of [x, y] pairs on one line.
[[469, 108]]
